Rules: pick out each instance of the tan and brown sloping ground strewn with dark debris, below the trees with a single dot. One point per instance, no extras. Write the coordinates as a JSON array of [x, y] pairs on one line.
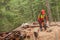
[[31, 31]]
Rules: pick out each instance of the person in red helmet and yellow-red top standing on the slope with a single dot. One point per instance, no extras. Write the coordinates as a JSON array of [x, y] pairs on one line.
[[42, 19]]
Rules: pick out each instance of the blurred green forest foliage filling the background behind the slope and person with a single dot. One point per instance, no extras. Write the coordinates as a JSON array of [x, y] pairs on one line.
[[15, 12]]
